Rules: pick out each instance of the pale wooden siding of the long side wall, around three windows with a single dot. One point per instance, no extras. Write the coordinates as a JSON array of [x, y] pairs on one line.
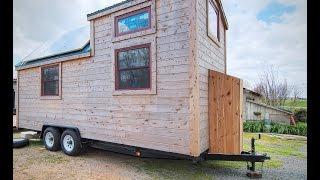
[[159, 120]]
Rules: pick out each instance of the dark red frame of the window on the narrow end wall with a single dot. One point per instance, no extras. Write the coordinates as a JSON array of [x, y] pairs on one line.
[[215, 8]]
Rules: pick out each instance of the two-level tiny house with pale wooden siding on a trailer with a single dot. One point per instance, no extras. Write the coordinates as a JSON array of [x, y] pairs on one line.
[[141, 80]]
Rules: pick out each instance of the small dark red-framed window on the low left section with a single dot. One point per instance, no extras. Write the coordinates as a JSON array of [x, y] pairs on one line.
[[50, 81]]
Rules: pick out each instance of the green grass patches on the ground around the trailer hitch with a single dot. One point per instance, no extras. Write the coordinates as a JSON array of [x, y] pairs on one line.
[[275, 146]]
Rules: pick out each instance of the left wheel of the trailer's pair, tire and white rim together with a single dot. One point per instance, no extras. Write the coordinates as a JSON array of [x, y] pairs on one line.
[[51, 139]]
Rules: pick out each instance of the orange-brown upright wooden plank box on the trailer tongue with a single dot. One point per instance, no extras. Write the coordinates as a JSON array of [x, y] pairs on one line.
[[225, 108]]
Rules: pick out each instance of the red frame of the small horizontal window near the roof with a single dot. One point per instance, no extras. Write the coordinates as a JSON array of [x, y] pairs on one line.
[[132, 13]]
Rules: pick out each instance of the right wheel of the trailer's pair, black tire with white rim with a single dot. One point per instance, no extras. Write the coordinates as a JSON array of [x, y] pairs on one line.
[[75, 147]]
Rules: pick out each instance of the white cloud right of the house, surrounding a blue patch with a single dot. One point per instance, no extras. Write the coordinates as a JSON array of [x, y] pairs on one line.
[[253, 43]]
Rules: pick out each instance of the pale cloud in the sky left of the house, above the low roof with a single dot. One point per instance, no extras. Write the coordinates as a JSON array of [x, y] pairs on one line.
[[37, 23]]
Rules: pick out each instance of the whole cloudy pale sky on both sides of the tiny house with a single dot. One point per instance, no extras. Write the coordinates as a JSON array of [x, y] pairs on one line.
[[262, 33]]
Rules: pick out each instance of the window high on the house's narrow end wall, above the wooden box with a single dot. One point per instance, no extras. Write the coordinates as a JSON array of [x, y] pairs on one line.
[[213, 21]]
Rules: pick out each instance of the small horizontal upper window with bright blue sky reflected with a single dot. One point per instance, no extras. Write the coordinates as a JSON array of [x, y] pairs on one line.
[[133, 22]]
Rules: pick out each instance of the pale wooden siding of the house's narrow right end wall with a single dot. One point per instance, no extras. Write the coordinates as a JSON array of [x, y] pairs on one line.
[[210, 56]]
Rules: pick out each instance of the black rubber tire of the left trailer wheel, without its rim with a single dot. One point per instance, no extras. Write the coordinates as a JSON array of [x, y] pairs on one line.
[[56, 139]]
